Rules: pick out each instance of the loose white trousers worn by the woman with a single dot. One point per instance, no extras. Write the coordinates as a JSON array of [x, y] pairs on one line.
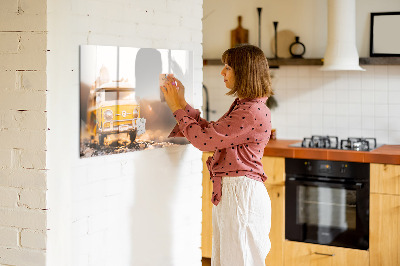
[[241, 223]]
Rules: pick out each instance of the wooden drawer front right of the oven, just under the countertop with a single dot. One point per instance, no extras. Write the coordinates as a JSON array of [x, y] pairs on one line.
[[385, 178]]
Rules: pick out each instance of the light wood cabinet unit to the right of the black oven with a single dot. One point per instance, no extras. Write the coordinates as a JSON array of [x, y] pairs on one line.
[[385, 214]]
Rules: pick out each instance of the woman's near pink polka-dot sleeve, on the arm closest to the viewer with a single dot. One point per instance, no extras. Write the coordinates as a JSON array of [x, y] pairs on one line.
[[229, 131]]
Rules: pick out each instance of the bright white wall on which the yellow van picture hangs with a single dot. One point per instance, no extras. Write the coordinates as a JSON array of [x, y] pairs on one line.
[[141, 208]]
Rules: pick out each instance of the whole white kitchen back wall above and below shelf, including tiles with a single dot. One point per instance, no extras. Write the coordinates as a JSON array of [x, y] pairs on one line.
[[311, 102]]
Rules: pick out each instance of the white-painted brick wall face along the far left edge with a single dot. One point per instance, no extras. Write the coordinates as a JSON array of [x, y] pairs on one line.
[[23, 132]]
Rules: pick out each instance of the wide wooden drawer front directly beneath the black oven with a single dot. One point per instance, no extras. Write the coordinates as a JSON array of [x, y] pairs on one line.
[[304, 254]]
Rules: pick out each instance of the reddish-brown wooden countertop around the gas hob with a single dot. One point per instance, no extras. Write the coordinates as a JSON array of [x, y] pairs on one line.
[[389, 154]]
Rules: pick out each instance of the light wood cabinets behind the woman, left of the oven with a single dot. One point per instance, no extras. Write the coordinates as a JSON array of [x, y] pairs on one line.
[[274, 168]]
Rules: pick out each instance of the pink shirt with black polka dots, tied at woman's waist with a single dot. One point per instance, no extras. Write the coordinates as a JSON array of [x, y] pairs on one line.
[[238, 139]]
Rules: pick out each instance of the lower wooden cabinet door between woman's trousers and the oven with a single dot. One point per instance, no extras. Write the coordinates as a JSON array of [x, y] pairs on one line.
[[277, 233]]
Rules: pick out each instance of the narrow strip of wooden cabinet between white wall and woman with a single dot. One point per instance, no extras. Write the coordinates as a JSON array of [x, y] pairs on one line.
[[206, 232]]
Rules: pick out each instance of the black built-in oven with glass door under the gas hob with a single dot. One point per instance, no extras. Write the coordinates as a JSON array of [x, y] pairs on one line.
[[327, 202]]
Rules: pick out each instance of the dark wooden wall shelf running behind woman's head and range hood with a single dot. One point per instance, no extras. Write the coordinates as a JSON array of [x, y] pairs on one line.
[[274, 63]]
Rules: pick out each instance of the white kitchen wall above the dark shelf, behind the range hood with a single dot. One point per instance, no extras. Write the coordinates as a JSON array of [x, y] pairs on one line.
[[306, 18]]
